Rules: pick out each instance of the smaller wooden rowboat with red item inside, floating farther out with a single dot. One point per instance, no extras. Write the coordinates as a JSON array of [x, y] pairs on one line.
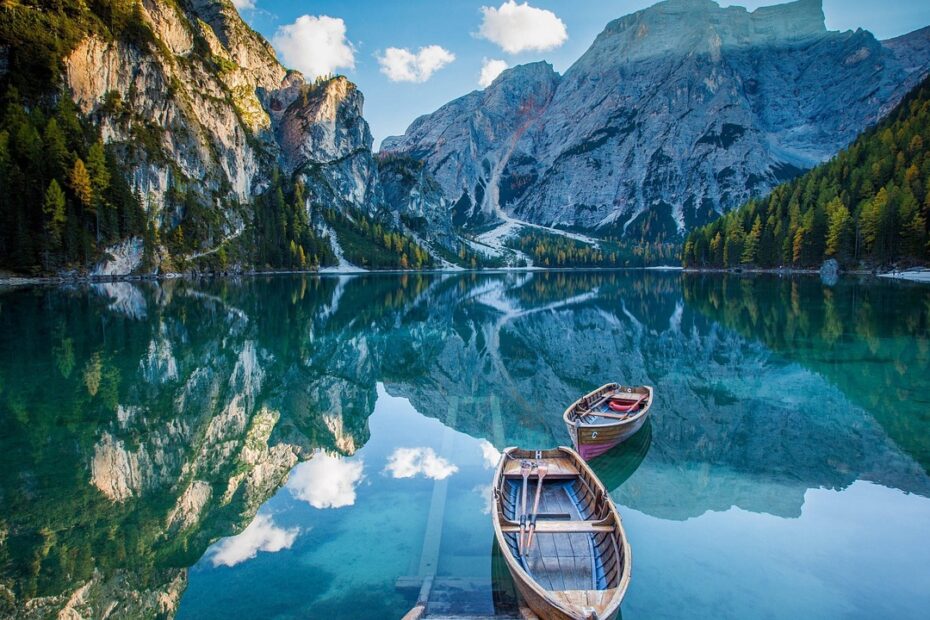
[[606, 417]]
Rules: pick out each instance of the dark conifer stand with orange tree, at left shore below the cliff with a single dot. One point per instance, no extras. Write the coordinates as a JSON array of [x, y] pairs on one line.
[[64, 193]]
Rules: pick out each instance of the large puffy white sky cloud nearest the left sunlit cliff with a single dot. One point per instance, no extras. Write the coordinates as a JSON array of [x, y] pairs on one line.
[[315, 46]]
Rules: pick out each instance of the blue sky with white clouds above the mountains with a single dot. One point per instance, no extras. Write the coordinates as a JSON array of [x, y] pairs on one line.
[[419, 74]]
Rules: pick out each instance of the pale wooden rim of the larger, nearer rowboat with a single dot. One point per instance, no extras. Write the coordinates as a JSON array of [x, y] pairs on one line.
[[525, 578]]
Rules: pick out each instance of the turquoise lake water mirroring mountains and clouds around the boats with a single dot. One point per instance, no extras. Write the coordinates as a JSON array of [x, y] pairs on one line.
[[146, 433]]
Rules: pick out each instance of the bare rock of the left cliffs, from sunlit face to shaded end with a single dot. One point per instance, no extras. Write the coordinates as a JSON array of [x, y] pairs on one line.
[[203, 116]]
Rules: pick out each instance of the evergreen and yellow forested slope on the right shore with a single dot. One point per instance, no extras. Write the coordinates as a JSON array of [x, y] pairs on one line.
[[869, 205]]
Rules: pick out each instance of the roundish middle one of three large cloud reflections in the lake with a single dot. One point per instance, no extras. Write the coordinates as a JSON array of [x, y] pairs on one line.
[[326, 481]]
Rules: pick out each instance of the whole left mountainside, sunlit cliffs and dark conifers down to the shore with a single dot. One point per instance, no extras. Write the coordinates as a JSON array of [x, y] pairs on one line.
[[152, 136]]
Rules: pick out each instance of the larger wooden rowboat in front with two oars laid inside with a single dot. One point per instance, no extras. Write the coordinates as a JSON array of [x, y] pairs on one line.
[[575, 562]]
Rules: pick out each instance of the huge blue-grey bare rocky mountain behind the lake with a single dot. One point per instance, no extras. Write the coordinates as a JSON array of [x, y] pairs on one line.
[[676, 113]]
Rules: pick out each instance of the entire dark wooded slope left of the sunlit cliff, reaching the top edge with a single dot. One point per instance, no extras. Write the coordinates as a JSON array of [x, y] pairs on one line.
[[62, 193]]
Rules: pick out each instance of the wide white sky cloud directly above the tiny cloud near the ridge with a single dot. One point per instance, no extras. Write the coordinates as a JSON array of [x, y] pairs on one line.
[[520, 27]]
